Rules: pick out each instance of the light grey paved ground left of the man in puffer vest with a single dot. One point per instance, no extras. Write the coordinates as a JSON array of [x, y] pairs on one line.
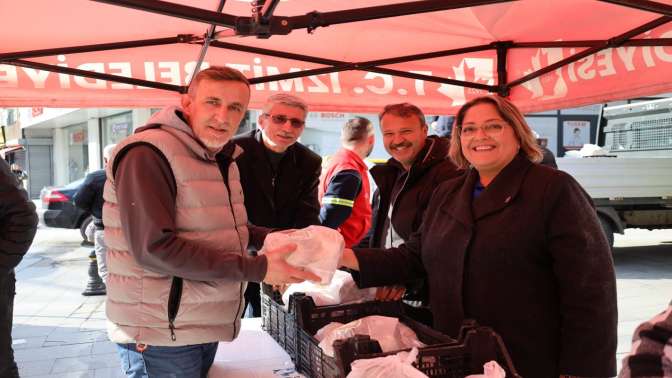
[[57, 331]]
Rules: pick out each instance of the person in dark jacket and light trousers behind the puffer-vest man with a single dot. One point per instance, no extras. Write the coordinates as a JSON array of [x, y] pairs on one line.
[[90, 198]]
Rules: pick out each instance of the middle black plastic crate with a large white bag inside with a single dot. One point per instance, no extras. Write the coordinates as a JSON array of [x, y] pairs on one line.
[[314, 363]]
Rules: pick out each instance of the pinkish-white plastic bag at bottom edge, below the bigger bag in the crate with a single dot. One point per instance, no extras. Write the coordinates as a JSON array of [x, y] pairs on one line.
[[395, 366]]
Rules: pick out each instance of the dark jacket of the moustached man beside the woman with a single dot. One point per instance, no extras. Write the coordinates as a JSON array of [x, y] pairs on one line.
[[432, 167]]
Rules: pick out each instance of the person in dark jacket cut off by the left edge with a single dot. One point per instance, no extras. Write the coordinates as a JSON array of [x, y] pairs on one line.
[[18, 223]]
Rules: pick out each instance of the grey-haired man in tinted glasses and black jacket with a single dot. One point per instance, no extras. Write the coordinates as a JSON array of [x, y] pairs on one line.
[[280, 176]]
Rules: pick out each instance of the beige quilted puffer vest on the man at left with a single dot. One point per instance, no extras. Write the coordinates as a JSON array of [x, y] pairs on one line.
[[207, 213]]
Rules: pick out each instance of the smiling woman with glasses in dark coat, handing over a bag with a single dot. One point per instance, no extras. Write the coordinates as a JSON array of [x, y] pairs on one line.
[[516, 246]]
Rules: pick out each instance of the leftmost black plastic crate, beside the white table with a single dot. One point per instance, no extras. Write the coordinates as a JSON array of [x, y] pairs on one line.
[[278, 322]]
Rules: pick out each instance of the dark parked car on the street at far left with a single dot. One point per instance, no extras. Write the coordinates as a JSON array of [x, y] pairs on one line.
[[59, 210]]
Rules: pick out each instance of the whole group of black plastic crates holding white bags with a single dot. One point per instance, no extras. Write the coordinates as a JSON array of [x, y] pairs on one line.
[[443, 357]]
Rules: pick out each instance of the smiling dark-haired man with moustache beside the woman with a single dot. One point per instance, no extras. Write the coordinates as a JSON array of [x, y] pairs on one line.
[[406, 182]]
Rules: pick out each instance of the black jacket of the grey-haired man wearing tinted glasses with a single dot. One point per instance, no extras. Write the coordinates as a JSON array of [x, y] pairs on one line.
[[292, 202]]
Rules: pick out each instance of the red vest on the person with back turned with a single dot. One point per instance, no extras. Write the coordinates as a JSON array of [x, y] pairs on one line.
[[358, 223]]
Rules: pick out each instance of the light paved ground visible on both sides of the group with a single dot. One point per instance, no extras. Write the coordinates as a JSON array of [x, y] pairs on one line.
[[60, 333]]
